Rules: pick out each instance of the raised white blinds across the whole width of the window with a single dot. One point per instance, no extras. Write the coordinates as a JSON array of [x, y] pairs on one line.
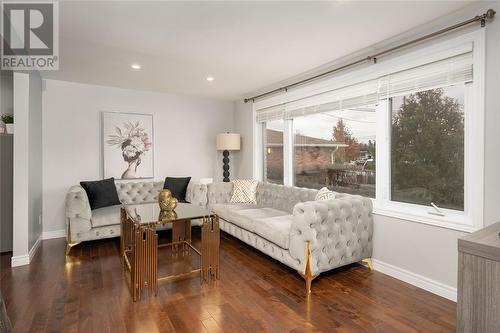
[[451, 70]]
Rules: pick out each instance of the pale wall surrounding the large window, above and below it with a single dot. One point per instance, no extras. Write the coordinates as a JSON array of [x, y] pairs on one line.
[[422, 254]]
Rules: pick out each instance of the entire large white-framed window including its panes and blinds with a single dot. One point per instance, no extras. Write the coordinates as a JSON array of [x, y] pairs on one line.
[[408, 132]]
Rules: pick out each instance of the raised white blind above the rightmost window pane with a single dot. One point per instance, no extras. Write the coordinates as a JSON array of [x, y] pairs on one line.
[[446, 72]]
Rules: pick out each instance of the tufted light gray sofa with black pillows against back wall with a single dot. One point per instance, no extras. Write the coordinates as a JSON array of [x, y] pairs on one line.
[[84, 224]]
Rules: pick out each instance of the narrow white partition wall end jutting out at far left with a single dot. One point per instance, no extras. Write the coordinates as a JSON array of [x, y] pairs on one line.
[[27, 191]]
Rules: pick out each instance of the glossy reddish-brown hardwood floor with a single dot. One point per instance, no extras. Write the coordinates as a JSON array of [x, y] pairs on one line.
[[88, 292]]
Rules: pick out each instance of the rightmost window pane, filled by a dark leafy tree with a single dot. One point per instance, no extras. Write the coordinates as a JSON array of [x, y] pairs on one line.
[[427, 147]]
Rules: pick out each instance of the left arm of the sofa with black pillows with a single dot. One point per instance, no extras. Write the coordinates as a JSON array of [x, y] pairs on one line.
[[78, 212]]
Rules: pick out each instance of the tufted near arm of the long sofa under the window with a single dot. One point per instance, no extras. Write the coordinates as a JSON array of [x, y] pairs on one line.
[[339, 231]]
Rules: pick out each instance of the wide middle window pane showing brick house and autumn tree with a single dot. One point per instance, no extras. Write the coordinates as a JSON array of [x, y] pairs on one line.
[[337, 150]]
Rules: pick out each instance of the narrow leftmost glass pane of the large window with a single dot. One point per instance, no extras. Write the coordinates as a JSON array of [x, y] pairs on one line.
[[273, 151]]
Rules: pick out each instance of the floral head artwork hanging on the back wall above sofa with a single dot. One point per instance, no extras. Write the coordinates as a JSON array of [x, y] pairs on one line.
[[127, 143]]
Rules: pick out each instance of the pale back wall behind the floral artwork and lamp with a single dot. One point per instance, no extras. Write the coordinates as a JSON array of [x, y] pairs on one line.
[[184, 136]]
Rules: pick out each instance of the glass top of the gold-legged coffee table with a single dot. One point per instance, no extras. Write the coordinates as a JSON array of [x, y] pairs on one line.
[[148, 213]]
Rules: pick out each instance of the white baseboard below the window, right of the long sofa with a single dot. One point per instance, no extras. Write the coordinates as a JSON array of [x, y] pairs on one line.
[[417, 280]]
